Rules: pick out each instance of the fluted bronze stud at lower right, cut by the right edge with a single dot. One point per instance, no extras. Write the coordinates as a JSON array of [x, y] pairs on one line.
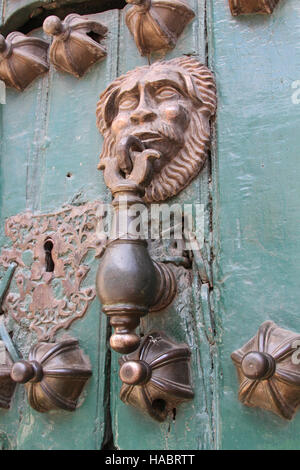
[[268, 370]]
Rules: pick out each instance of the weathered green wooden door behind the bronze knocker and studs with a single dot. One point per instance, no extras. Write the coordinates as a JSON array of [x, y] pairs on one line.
[[49, 153]]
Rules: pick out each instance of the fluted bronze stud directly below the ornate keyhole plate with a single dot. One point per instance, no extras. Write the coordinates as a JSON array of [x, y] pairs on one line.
[[54, 374]]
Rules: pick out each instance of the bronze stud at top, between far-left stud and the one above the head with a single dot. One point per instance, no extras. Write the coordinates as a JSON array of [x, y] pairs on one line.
[[77, 43]]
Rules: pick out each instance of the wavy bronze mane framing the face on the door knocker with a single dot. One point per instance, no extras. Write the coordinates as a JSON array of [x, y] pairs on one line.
[[188, 162]]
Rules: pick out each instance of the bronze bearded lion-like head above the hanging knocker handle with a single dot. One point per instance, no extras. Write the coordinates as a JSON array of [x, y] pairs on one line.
[[168, 106]]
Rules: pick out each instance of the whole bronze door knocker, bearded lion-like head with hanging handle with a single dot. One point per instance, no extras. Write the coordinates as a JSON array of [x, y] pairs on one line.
[[156, 126]]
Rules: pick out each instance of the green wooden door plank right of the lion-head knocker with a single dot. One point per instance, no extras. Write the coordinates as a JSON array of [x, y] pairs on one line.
[[256, 270]]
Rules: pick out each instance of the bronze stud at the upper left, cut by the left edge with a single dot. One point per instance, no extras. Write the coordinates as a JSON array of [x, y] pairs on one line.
[[22, 59]]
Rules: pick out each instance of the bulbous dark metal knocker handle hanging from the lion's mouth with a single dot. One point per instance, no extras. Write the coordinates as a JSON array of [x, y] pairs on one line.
[[129, 283]]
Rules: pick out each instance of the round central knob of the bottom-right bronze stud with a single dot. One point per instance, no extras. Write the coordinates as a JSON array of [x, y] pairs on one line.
[[257, 365]]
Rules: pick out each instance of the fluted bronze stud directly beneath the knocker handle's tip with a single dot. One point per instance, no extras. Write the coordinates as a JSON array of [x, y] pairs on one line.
[[156, 377]]
